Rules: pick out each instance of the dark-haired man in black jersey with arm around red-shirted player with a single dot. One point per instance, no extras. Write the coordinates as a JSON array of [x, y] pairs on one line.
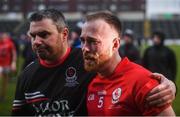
[[56, 82]]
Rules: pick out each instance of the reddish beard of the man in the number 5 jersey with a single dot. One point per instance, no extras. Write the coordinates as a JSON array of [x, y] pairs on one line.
[[93, 62]]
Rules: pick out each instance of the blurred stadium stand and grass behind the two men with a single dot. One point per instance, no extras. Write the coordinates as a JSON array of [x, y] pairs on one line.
[[141, 16]]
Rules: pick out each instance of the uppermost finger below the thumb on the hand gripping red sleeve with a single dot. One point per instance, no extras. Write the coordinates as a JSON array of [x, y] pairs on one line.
[[157, 89]]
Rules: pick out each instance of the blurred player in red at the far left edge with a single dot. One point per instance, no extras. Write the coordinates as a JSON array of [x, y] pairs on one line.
[[7, 61]]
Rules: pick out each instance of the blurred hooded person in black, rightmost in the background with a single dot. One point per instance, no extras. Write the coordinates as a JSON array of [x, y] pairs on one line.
[[159, 58]]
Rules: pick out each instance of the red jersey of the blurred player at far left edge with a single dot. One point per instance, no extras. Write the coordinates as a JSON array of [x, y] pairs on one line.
[[6, 49]]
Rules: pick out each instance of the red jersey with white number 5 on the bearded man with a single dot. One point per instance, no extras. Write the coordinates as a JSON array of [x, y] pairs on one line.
[[122, 93]]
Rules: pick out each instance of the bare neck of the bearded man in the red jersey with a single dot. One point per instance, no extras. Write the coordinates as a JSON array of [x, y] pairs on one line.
[[109, 67]]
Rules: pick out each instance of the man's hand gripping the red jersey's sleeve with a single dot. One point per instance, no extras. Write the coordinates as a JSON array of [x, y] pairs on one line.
[[162, 94]]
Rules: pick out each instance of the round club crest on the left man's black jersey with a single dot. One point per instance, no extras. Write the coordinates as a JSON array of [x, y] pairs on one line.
[[71, 77]]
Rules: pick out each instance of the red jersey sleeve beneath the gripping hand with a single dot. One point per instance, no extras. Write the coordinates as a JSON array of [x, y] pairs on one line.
[[140, 99]]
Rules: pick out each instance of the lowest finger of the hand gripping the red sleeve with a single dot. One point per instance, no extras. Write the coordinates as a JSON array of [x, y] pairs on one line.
[[161, 101]]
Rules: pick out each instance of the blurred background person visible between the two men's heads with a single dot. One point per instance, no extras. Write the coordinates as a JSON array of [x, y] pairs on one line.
[[74, 37]]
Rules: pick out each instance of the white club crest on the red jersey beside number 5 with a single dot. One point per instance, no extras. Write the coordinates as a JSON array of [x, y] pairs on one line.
[[116, 95]]
